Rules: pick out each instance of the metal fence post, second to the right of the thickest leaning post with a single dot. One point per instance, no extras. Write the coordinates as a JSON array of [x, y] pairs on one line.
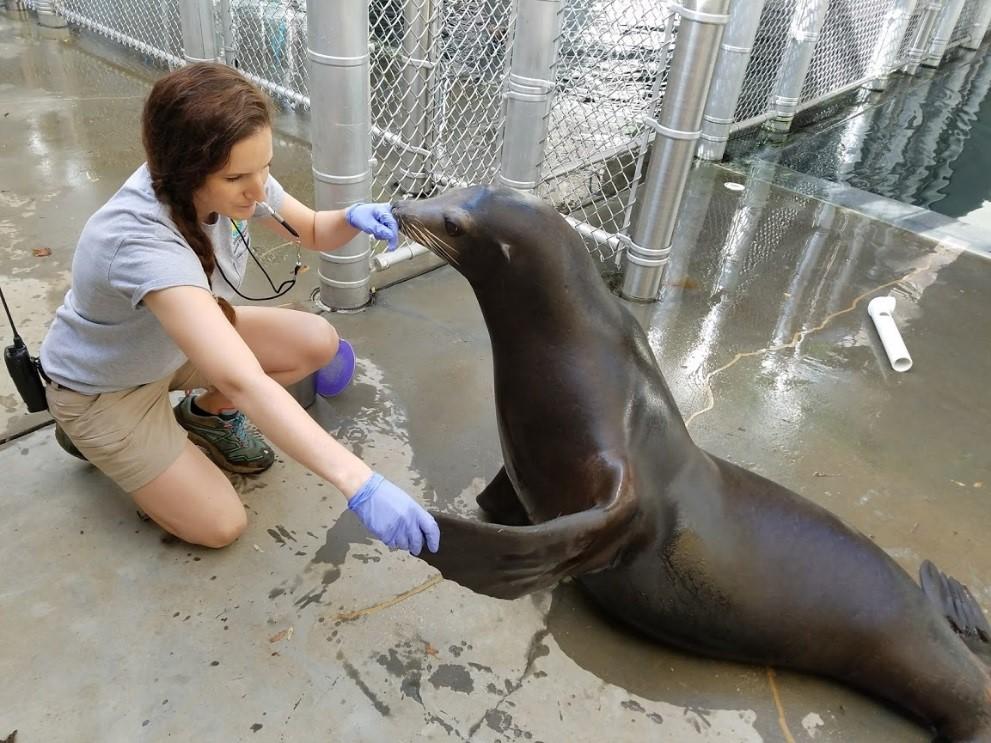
[[802, 38]]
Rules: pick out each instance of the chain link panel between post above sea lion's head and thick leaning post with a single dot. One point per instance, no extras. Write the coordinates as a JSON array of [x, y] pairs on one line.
[[611, 73]]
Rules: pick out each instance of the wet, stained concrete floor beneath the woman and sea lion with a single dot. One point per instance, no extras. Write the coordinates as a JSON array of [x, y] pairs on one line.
[[306, 629]]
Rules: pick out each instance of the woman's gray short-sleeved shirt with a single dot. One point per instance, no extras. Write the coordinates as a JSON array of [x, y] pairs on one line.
[[104, 338]]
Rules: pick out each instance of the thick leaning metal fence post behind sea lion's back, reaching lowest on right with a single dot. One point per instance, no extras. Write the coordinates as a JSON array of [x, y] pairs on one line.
[[675, 140]]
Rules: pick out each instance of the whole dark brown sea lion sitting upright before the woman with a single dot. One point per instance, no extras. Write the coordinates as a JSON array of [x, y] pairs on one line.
[[601, 481]]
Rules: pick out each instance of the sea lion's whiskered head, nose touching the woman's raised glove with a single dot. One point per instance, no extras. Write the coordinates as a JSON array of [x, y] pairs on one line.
[[483, 231]]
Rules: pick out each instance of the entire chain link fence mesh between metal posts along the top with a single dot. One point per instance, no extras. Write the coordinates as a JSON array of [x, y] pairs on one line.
[[440, 69]]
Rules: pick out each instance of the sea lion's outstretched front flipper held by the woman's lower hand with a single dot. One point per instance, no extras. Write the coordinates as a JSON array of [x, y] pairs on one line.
[[510, 561]]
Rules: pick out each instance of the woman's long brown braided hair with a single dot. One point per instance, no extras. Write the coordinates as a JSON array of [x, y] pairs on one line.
[[191, 120]]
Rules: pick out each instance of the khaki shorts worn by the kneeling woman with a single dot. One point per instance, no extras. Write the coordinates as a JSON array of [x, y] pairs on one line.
[[131, 435]]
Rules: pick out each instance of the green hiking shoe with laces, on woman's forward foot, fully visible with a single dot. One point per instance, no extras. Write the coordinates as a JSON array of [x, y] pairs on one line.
[[230, 442]]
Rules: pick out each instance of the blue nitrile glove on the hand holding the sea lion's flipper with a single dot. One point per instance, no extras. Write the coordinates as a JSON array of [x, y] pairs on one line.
[[394, 517]]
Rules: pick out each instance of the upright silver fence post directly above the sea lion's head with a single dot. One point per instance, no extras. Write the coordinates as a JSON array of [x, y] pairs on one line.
[[528, 98]]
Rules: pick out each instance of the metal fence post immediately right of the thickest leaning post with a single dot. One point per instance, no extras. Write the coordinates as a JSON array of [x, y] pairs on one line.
[[727, 82]]
